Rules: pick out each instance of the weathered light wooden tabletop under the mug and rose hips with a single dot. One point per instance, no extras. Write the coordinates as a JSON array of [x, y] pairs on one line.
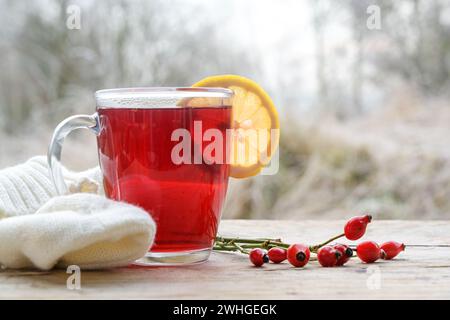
[[422, 271]]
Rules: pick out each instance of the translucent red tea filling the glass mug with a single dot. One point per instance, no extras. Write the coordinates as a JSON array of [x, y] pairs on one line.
[[185, 200]]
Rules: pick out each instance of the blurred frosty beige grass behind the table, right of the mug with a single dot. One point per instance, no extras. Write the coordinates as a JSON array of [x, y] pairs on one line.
[[393, 164]]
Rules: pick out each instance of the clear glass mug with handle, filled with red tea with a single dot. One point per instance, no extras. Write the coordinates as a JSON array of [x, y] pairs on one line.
[[138, 131]]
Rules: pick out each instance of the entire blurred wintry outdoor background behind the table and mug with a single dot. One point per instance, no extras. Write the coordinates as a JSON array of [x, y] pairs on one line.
[[365, 112]]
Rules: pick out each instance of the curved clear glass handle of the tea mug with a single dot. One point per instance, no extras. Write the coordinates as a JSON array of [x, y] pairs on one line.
[[54, 151]]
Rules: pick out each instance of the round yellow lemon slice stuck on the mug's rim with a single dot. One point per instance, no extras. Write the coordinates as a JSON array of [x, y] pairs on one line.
[[255, 124]]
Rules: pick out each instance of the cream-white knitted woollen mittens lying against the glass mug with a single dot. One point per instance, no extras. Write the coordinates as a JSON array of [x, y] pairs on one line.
[[39, 229]]
